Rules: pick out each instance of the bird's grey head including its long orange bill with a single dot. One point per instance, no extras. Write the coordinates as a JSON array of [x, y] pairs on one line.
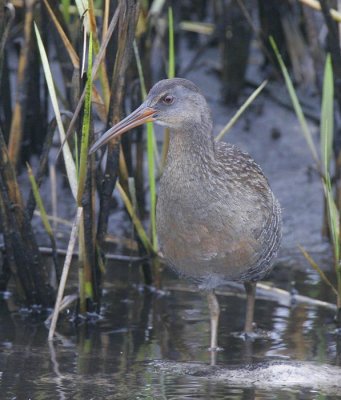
[[175, 103]]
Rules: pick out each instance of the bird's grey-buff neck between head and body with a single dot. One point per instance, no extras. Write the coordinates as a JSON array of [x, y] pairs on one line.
[[191, 146]]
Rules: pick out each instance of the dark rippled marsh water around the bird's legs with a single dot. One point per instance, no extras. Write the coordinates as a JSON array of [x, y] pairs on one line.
[[114, 358]]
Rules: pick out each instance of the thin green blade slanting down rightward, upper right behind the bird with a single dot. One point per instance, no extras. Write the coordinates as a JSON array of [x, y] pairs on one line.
[[295, 102]]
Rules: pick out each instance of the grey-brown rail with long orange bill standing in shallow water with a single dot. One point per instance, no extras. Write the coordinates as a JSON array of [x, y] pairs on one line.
[[217, 218]]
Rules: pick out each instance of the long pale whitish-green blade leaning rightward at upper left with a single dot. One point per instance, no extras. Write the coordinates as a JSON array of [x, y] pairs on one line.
[[69, 162]]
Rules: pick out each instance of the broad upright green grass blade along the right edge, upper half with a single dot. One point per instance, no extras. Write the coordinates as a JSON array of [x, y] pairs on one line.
[[327, 115]]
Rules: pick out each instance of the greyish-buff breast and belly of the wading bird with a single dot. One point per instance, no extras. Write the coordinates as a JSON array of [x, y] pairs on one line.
[[199, 230]]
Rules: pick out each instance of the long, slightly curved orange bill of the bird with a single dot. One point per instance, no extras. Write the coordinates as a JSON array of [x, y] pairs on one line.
[[138, 117]]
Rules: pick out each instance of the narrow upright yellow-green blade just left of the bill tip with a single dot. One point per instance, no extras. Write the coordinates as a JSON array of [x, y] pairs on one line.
[[83, 161]]
